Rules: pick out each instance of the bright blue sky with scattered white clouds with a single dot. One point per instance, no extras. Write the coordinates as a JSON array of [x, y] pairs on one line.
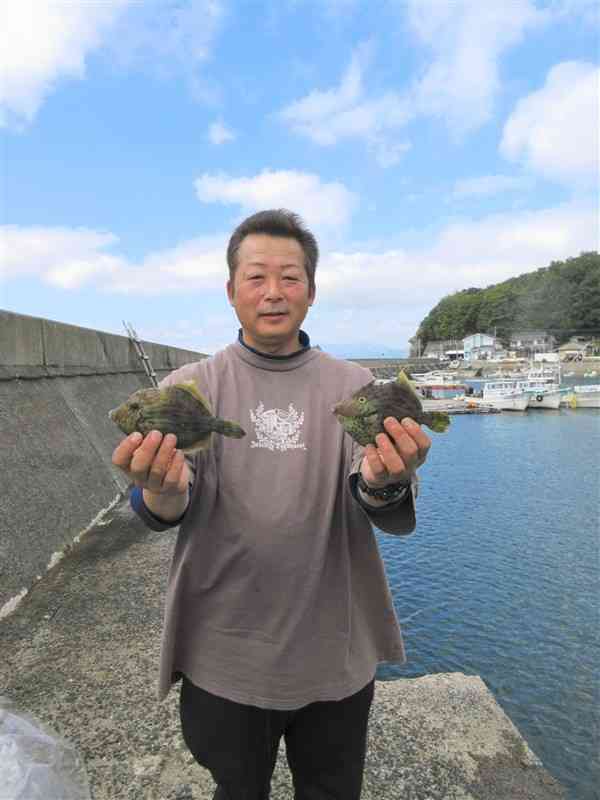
[[431, 145]]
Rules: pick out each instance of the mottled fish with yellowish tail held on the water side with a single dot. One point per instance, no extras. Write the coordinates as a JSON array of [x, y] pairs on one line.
[[362, 414]]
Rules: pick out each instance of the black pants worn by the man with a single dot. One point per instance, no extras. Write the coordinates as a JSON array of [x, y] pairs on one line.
[[325, 744]]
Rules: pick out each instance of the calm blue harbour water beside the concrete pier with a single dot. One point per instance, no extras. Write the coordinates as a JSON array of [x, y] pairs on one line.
[[501, 577]]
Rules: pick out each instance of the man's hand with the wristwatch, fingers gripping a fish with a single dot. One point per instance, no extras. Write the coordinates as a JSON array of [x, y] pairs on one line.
[[399, 452]]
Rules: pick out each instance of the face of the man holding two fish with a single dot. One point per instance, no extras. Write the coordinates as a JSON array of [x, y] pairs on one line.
[[270, 292]]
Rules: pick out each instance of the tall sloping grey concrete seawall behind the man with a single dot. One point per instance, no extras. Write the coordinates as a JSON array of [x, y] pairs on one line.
[[57, 384]]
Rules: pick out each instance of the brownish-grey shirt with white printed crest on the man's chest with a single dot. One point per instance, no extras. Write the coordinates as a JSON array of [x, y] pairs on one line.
[[277, 595]]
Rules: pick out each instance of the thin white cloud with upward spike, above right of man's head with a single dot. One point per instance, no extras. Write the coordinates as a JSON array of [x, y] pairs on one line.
[[326, 117]]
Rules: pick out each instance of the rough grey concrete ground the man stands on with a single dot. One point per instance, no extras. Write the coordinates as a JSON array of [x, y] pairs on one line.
[[81, 650]]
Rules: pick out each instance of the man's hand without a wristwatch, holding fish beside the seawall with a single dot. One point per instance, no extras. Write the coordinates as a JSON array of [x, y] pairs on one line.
[[154, 463]]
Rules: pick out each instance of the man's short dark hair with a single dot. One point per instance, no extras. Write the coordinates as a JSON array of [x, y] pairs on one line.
[[276, 222]]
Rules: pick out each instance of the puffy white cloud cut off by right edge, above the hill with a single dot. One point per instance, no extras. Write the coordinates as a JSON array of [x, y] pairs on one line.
[[555, 131]]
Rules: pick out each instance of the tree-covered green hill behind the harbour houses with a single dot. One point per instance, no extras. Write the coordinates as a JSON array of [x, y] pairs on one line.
[[562, 299]]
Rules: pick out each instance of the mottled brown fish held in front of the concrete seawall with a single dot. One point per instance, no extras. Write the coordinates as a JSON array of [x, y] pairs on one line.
[[181, 409]]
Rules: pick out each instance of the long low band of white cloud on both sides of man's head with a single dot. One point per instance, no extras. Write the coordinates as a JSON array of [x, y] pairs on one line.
[[362, 296]]
